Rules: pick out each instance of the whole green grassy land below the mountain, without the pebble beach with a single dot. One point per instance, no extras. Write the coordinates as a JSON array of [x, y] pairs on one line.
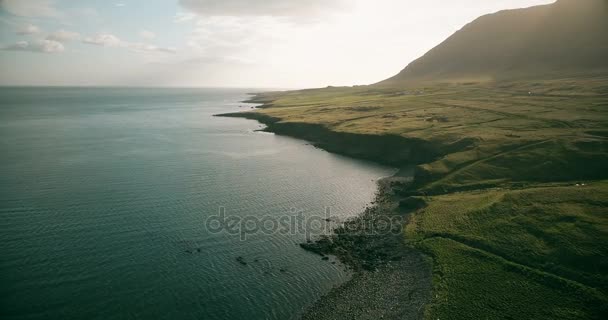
[[517, 200]]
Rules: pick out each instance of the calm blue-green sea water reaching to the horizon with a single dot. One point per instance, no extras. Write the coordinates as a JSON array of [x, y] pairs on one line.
[[105, 194]]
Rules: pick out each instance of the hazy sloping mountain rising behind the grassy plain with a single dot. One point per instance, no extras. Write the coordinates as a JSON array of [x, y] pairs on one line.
[[564, 38]]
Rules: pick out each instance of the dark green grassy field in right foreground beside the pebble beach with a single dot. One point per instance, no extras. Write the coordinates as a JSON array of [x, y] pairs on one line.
[[533, 253]]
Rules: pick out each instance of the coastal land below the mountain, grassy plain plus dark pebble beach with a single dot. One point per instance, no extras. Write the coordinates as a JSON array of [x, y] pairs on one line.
[[485, 201]]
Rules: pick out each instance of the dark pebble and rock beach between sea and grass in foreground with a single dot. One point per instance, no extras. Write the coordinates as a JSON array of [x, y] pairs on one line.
[[391, 280]]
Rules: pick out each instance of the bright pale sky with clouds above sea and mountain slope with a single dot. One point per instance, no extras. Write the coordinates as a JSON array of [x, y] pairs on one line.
[[224, 43]]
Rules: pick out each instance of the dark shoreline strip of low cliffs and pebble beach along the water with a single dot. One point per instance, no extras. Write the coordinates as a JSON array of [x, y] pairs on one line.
[[390, 279]]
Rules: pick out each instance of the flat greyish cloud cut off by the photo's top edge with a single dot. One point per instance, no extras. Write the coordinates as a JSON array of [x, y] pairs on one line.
[[278, 8]]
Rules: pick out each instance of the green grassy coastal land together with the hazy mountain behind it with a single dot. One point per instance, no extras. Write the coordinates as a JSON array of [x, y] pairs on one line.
[[512, 171]]
